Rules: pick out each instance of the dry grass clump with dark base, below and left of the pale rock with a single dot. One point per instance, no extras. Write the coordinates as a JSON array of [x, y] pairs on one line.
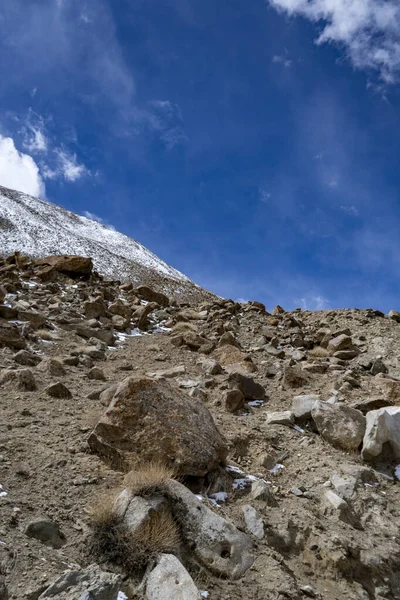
[[111, 540]]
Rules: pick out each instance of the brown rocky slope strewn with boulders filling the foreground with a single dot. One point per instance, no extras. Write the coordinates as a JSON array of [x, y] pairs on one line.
[[281, 433]]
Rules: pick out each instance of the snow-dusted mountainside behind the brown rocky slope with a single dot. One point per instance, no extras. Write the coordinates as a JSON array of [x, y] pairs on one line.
[[39, 228]]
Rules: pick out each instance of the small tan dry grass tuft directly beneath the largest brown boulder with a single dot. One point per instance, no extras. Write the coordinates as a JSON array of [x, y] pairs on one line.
[[148, 479]]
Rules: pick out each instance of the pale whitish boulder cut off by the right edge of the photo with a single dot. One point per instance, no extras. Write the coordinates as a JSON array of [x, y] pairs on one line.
[[383, 427]]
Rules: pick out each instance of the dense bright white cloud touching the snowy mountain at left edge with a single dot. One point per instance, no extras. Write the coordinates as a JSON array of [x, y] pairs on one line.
[[19, 171]]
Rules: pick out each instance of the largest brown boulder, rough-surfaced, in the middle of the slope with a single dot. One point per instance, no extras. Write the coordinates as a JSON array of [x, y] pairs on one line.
[[150, 420]]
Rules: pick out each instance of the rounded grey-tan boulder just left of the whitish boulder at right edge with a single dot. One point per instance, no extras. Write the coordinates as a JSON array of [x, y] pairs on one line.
[[339, 424]]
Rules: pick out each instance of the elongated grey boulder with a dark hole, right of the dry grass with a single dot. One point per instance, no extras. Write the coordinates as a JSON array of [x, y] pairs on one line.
[[214, 541]]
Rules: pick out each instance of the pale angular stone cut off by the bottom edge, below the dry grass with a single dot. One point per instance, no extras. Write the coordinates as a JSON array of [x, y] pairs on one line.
[[169, 580]]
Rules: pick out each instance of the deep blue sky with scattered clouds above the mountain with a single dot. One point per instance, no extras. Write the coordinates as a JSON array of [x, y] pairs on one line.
[[252, 144]]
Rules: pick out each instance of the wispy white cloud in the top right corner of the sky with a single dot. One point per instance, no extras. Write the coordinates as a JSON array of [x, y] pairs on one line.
[[369, 30]]
